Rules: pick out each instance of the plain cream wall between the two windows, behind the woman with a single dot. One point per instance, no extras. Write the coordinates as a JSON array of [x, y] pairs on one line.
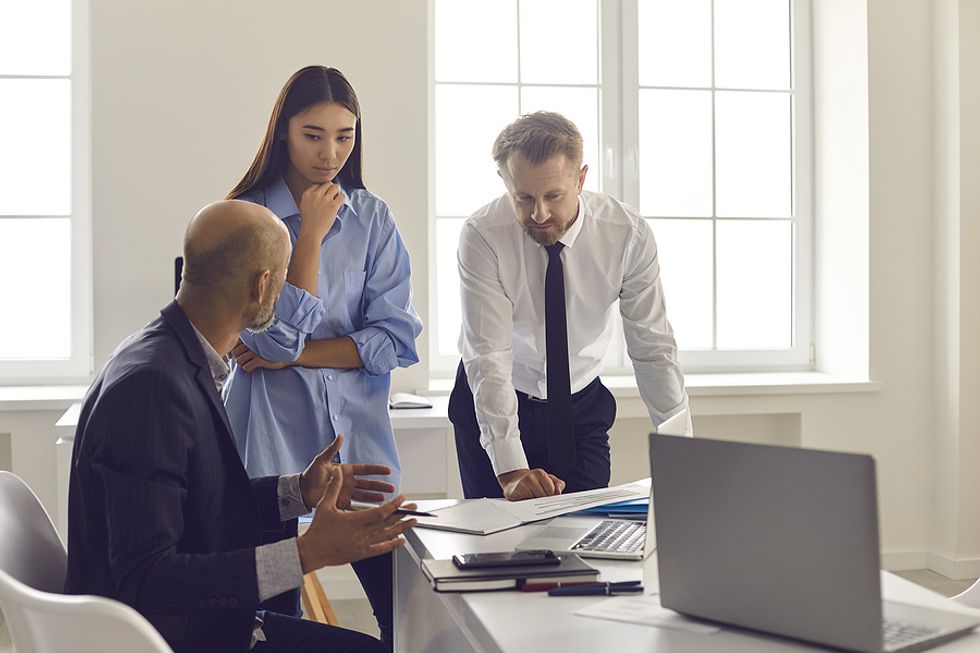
[[181, 95]]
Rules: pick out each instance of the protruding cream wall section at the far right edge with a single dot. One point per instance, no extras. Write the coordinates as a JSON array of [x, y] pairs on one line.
[[956, 524]]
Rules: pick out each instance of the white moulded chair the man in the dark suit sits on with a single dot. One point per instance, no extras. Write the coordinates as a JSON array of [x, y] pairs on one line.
[[32, 576]]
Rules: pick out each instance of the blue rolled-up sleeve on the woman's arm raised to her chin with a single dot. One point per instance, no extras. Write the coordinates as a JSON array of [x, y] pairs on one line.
[[298, 313]]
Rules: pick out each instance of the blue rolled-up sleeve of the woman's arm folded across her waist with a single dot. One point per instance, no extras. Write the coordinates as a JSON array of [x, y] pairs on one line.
[[390, 324]]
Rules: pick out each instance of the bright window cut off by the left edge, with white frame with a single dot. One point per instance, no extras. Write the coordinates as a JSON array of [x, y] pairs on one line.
[[44, 192]]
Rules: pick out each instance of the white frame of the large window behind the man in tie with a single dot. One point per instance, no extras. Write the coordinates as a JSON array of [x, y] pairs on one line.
[[619, 176]]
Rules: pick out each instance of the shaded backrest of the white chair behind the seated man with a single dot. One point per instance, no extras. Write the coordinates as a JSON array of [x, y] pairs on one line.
[[30, 549]]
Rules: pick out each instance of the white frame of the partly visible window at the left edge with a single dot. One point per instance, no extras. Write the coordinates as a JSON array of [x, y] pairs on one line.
[[78, 367]]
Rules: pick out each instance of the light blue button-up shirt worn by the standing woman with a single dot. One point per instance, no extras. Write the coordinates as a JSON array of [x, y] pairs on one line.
[[283, 418]]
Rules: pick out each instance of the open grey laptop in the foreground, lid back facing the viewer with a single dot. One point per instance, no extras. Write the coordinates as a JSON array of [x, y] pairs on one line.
[[784, 541]]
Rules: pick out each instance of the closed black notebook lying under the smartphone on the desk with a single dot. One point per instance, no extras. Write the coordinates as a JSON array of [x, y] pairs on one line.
[[444, 576]]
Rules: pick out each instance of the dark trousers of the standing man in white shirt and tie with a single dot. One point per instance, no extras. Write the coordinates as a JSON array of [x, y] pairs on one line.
[[593, 411]]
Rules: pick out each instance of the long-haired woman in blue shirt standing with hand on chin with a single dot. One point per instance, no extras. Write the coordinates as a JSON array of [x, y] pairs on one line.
[[344, 318]]
